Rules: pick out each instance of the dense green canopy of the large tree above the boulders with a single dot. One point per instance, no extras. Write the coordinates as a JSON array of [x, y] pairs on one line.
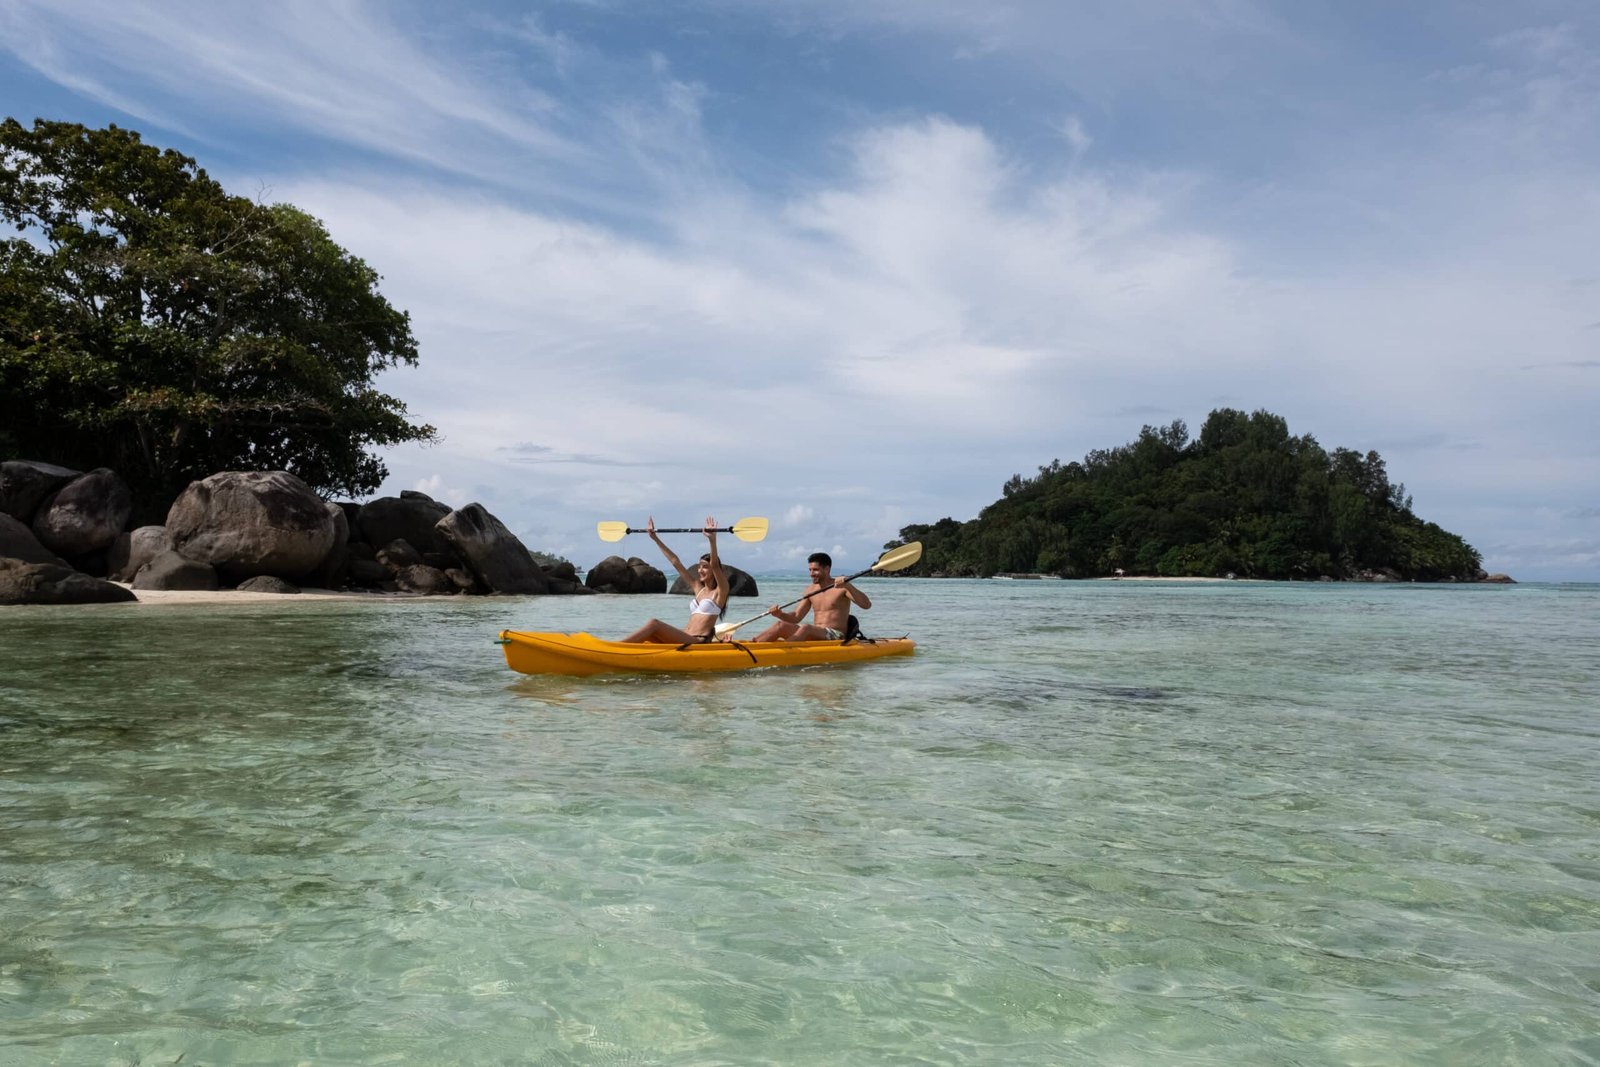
[[158, 326]]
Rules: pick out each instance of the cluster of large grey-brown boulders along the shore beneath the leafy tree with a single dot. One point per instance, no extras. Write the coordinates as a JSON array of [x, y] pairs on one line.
[[236, 527]]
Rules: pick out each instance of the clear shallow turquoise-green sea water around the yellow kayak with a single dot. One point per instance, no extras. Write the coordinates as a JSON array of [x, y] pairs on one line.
[[1102, 823]]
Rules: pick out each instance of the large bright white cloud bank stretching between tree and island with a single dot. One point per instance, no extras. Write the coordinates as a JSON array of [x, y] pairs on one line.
[[934, 322]]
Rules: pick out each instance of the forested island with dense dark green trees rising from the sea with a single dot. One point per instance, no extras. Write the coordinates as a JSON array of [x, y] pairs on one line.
[[1244, 500]]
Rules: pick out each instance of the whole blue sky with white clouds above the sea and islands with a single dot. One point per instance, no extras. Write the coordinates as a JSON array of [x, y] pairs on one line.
[[852, 265]]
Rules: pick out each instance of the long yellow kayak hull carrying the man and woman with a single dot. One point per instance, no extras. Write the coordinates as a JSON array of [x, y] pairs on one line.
[[588, 655]]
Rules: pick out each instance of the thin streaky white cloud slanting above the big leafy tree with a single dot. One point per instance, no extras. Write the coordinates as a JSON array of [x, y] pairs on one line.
[[350, 74]]
